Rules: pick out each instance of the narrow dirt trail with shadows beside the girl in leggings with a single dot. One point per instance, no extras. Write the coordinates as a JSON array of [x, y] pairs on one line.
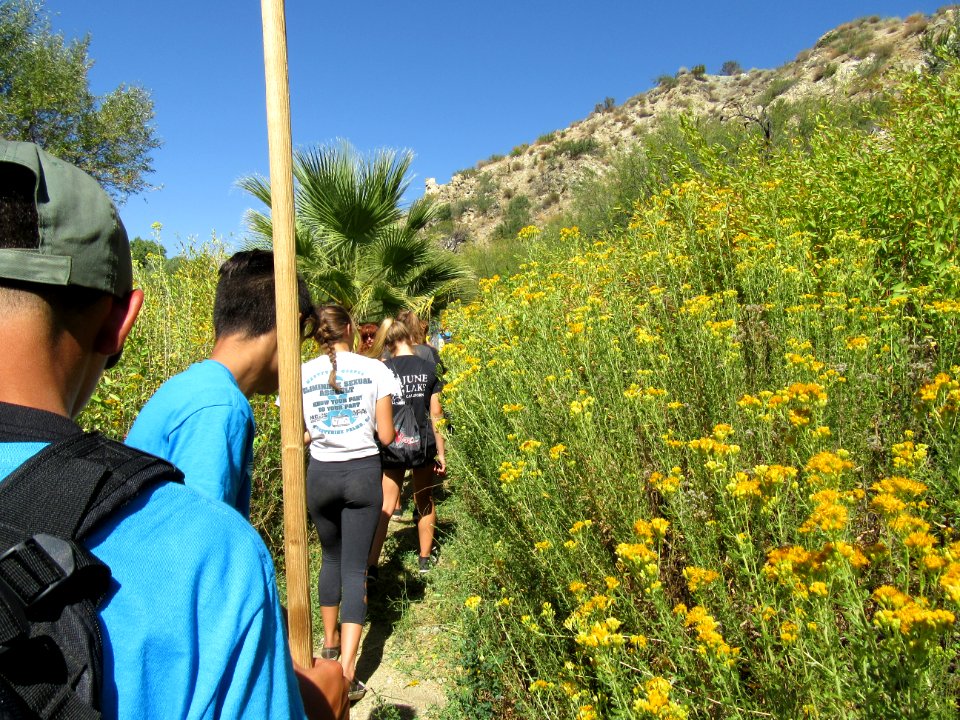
[[403, 674]]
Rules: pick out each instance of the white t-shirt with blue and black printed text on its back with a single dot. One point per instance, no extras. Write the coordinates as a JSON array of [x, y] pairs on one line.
[[342, 425]]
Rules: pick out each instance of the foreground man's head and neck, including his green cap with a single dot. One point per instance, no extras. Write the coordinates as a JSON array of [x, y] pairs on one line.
[[66, 279]]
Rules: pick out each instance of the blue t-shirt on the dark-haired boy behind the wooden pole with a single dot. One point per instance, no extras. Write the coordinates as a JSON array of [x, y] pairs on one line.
[[201, 422]]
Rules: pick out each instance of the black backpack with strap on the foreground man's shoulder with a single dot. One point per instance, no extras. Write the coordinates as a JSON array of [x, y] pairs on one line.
[[50, 585]]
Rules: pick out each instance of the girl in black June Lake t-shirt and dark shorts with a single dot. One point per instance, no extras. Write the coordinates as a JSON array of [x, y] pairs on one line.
[[420, 388]]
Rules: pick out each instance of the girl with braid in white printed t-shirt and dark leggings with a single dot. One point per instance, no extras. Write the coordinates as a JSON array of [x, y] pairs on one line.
[[346, 401]]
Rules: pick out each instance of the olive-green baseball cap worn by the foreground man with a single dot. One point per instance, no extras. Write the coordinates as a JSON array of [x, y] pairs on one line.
[[82, 241]]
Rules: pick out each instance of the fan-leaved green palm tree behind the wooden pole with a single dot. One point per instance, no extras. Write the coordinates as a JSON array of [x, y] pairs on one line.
[[355, 244]]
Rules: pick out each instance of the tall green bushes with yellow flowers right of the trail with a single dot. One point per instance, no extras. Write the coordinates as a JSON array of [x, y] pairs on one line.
[[705, 463]]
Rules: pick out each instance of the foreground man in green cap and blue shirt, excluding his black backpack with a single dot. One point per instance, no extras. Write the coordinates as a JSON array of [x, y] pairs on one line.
[[191, 623]]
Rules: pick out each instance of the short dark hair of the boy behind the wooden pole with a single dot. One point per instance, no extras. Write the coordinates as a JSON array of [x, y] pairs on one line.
[[245, 303]]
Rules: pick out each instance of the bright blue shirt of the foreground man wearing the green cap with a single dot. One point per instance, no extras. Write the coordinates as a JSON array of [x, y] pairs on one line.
[[192, 625]]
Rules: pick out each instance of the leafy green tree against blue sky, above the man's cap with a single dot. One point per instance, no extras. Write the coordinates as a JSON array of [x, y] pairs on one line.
[[45, 98]]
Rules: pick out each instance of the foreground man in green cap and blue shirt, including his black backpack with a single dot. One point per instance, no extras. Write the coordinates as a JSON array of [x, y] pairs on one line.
[[190, 623]]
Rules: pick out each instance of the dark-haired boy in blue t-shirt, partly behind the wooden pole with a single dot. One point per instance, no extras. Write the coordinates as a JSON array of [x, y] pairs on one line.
[[201, 420]]
